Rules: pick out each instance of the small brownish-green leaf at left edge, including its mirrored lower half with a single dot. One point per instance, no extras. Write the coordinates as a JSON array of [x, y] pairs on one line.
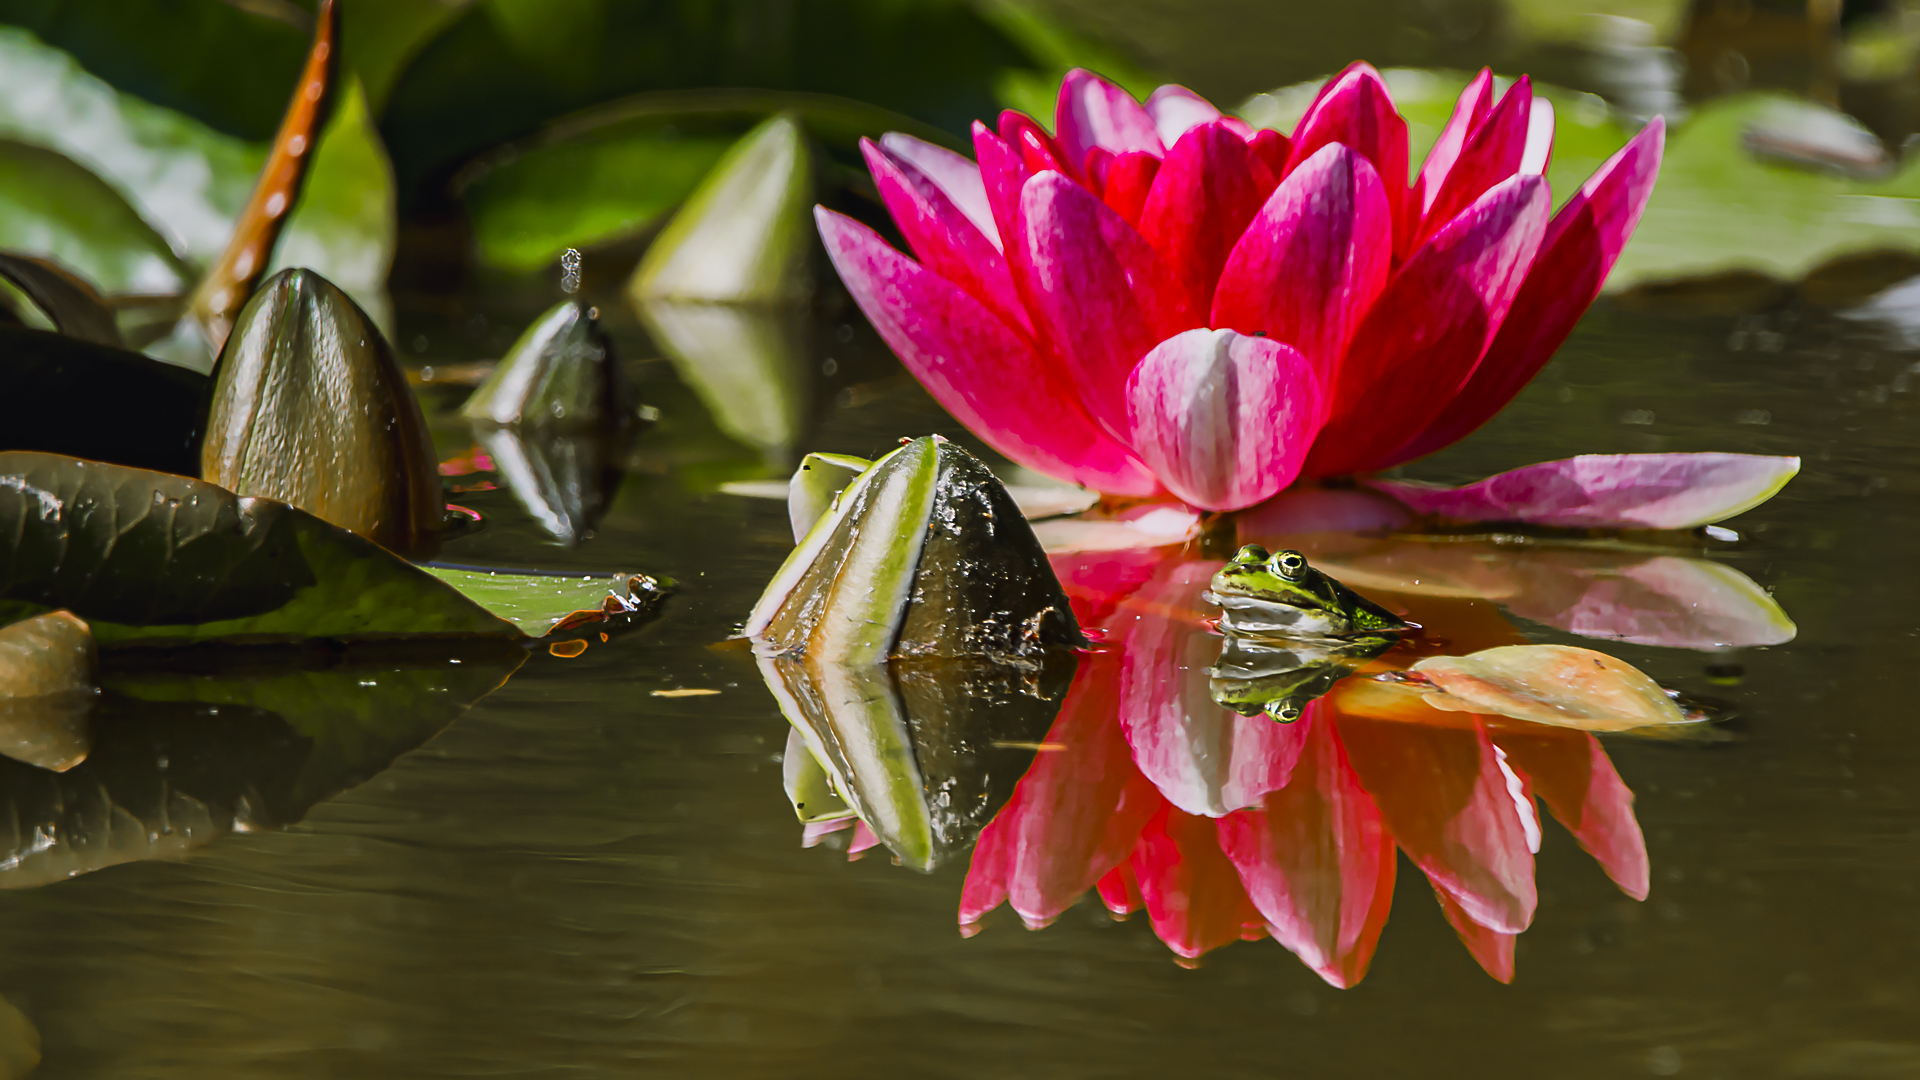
[[47, 689]]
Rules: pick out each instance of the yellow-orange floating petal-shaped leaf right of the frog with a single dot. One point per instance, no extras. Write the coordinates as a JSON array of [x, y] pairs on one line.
[[1550, 685]]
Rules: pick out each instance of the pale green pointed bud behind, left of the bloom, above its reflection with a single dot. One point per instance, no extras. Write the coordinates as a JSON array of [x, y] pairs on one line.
[[746, 233]]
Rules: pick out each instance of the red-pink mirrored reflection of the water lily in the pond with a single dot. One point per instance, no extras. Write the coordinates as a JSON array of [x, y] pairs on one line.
[[1155, 793]]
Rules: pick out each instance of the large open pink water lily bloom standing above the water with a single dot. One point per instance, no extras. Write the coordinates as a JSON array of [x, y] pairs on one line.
[[1157, 297]]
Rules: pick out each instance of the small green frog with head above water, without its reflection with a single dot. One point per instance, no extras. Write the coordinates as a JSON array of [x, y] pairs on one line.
[[1282, 597]]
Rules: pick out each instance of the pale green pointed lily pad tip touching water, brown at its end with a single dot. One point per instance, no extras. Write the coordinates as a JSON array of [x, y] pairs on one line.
[[546, 604]]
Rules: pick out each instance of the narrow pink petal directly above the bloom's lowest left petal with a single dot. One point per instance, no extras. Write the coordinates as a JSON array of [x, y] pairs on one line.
[[946, 239]]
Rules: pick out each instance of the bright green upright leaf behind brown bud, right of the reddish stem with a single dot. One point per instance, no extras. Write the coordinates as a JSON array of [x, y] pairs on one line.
[[345, 222]]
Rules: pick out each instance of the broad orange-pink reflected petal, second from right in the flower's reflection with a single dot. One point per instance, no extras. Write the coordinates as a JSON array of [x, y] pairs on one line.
[[1447, 802]]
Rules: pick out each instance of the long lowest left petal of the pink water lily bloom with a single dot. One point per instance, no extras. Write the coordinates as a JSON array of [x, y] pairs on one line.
[[976, 366]]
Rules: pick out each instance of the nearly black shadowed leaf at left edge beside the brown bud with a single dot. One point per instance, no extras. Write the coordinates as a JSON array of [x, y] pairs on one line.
[[89, 401]]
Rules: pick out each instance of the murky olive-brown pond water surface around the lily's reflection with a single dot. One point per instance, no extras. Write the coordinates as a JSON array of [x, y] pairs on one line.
[[587, 877]]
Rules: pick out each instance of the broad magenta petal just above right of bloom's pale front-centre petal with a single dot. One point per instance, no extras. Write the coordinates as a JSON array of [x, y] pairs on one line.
[[1314, 260]]
